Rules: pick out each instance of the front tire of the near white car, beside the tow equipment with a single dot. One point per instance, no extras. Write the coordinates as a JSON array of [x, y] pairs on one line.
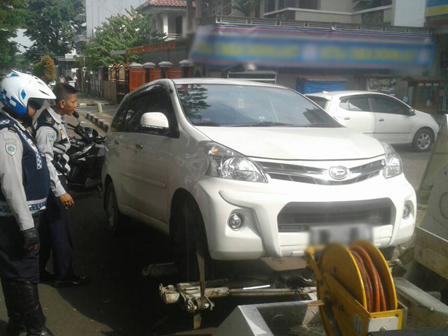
[[189, 239]]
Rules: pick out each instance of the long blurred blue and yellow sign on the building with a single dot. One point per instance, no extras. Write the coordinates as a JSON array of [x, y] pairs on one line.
[[292, 47]]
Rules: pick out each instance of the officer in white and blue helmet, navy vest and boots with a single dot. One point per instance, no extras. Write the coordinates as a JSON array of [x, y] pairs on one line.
[[24, 182]]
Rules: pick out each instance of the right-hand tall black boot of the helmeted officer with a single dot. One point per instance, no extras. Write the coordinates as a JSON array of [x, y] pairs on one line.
[[27, 297]]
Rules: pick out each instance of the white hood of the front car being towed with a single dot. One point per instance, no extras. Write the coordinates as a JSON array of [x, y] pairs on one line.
[[296, 143]]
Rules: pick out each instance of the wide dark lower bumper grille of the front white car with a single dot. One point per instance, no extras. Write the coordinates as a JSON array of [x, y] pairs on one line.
[[300, 216]]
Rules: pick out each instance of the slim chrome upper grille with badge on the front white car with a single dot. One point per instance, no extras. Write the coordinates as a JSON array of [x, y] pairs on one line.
[[312, 175]]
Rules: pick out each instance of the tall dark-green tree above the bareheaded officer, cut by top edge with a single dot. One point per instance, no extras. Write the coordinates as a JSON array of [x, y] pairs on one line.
[[51, 27]]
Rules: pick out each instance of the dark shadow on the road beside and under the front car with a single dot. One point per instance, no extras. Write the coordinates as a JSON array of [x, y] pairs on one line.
[[119, 296]]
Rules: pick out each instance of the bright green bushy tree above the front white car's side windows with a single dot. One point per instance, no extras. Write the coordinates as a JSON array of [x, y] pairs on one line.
[[120, 33]]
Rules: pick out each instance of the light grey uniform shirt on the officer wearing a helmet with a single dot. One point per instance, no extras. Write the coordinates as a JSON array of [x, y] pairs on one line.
[[11, 176]]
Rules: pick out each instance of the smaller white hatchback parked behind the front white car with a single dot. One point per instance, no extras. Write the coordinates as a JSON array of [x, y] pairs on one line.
[[382, 116]]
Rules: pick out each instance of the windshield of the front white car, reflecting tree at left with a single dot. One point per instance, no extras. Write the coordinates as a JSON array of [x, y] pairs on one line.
[[249, 106]]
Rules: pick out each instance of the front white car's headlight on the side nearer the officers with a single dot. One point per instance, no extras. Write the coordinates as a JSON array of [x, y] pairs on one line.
[[228, 164]]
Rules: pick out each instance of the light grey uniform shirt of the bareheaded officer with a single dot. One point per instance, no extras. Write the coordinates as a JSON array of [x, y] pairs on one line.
[[53, 142]]
